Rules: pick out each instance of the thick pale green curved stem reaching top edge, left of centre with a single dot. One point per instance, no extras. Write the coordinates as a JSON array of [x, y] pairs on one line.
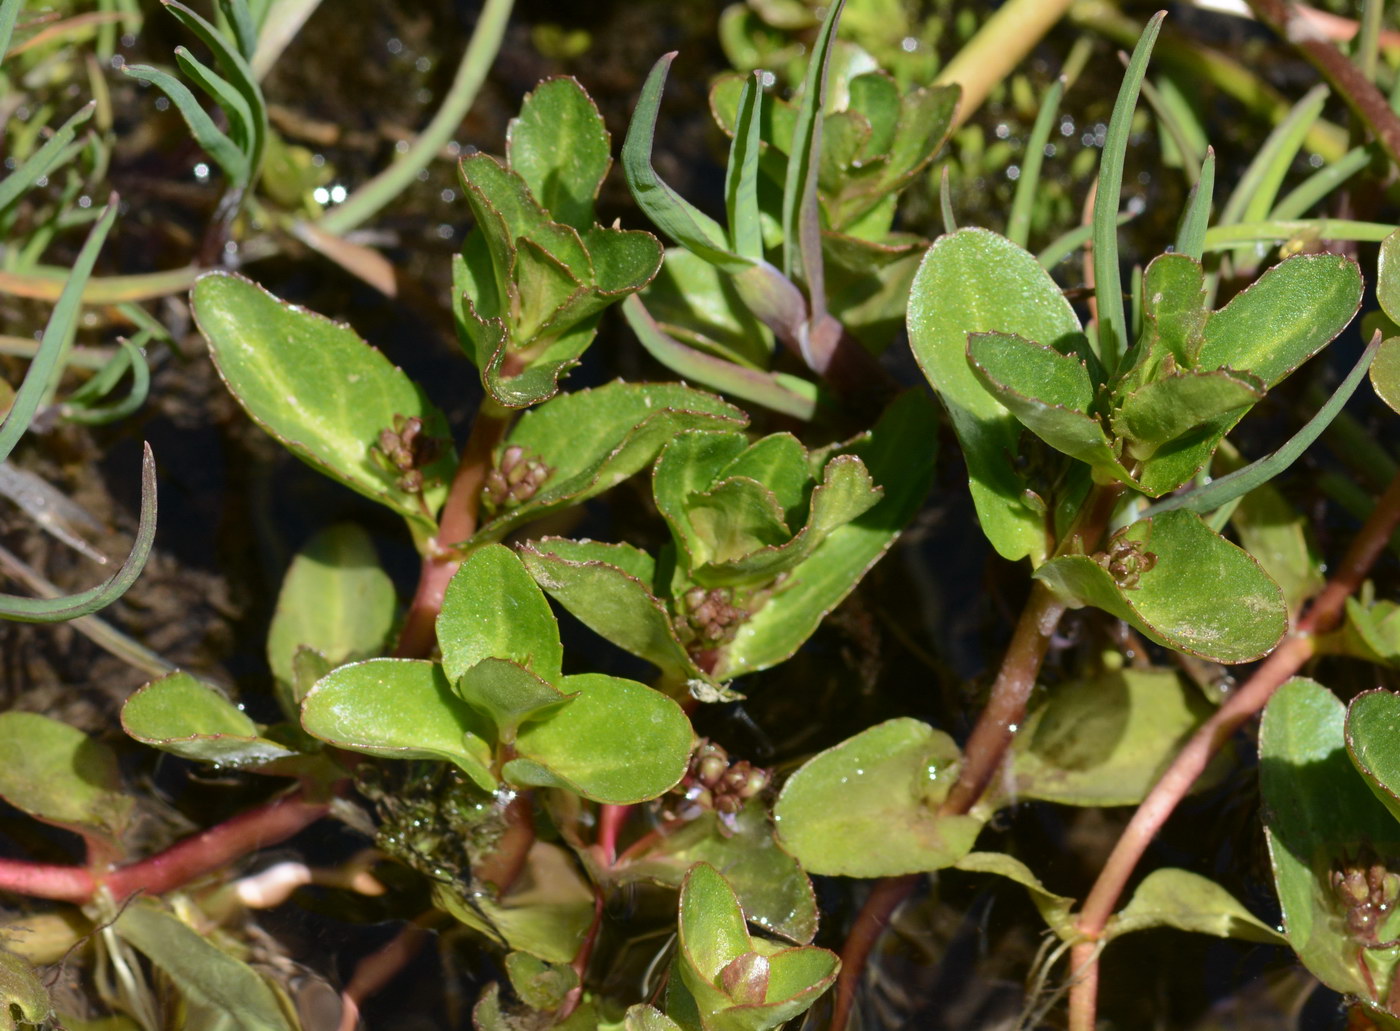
[[471, 74]]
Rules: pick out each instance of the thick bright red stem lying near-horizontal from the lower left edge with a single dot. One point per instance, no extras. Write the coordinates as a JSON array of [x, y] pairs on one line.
[[180, 865]]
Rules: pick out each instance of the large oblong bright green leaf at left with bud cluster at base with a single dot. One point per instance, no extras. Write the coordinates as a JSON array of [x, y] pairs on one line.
[[320, 390]]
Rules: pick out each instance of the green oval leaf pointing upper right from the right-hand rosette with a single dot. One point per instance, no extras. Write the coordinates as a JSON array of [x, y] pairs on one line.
[[1284, 319]]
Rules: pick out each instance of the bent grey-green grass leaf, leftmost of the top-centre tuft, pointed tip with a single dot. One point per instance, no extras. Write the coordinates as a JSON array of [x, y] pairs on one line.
[[671, 214]]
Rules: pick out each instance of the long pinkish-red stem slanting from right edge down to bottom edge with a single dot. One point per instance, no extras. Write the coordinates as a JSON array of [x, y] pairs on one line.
[[1191, 763]]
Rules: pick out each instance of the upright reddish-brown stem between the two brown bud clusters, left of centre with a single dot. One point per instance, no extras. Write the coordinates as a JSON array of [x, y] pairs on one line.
[[456, 526]]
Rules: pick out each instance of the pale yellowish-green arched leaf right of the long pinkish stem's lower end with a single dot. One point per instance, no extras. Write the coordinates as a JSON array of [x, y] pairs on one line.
[[1186, 901]]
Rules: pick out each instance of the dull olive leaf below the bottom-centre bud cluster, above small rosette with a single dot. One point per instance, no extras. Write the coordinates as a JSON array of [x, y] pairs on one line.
[[769, 883]]
